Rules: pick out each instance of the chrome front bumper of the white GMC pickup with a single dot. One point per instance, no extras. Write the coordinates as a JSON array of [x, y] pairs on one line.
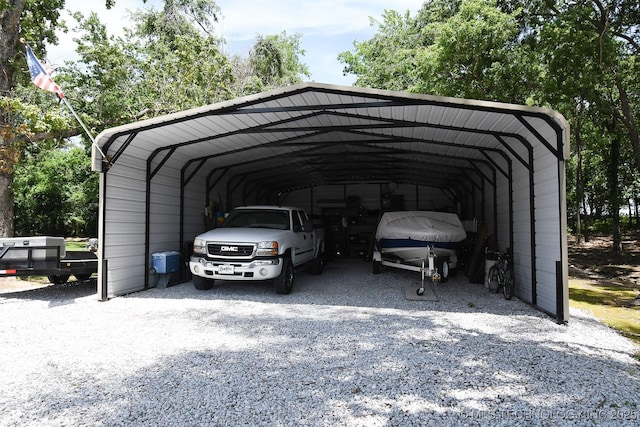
[[258, 269]]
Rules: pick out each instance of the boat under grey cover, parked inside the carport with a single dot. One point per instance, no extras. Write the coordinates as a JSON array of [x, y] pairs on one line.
[[410, 237]]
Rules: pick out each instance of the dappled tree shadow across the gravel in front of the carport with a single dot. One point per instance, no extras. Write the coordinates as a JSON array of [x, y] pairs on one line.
[[353, 367]]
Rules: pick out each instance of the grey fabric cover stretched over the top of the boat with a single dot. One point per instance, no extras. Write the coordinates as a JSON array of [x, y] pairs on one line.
[[426, 226]]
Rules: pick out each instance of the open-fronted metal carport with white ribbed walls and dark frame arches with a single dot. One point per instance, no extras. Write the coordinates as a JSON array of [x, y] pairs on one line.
[[503, 164]]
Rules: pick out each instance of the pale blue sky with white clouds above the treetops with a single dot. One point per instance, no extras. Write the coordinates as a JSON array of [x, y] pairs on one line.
[[327, 28]]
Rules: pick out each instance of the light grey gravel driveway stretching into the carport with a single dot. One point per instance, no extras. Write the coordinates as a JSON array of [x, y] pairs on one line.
[[345, 348]]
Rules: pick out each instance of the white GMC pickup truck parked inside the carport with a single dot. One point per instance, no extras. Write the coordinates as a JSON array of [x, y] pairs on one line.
[[258, 243]]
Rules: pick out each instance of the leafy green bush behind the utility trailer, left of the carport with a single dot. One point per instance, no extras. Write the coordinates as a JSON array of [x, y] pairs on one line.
[[55, 193]]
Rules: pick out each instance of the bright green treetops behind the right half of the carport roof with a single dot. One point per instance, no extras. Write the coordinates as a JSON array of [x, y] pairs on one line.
[[465, 49]]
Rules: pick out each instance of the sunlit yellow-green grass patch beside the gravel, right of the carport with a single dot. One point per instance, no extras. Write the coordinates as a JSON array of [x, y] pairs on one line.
[[611, 304]]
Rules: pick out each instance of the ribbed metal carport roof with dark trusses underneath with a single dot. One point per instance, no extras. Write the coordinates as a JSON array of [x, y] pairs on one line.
[[313, 134]]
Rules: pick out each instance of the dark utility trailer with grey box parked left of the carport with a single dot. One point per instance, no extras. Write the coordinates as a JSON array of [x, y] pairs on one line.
[[44, 256]]
